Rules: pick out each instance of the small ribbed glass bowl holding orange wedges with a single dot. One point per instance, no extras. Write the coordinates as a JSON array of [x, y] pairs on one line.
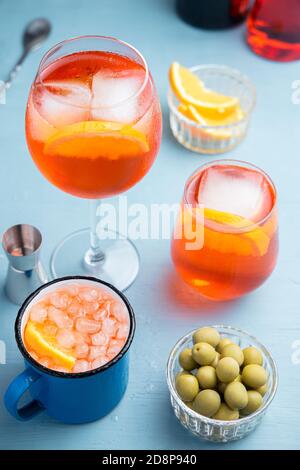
[[210, 107]]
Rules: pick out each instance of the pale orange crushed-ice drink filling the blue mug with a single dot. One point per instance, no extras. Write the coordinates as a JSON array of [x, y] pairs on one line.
[[76, 327]]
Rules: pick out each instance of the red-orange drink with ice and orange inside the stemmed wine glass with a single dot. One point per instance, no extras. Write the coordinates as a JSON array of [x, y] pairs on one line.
[[93, 123]]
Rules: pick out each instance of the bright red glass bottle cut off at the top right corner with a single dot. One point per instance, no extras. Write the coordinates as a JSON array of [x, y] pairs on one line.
[[274, 29]]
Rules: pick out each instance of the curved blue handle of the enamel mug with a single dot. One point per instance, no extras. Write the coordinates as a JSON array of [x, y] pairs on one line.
[[16, 390]]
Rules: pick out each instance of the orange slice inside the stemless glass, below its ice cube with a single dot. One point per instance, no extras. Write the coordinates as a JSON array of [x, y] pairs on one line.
[[248, 242]]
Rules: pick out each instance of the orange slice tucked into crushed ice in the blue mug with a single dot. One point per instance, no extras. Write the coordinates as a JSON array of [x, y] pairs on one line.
[[44, 345]]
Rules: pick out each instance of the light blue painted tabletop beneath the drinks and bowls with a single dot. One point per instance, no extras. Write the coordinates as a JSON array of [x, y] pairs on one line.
[[164, 307]]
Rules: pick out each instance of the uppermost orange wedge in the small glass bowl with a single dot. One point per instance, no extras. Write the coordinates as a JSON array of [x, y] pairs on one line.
[[191, 90]]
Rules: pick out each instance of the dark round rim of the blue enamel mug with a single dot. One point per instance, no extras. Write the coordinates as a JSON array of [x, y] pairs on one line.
[[73, 375]]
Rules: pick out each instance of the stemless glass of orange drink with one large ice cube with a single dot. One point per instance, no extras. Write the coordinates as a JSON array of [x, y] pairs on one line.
[[239, 230]]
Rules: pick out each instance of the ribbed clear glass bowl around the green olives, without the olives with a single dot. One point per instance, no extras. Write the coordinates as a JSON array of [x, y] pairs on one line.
[[211, 429]]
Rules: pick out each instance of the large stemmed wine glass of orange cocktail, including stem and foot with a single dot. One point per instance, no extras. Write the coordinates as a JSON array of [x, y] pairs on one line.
[[93, 128]]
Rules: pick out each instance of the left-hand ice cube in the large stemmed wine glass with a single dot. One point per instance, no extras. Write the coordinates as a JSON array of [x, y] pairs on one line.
[[63, 102]]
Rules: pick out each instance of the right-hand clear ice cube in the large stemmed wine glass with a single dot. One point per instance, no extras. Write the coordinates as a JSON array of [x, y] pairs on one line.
[[110, 96]]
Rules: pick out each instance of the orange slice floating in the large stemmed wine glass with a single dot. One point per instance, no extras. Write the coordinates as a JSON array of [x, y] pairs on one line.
[[91, 139]]
